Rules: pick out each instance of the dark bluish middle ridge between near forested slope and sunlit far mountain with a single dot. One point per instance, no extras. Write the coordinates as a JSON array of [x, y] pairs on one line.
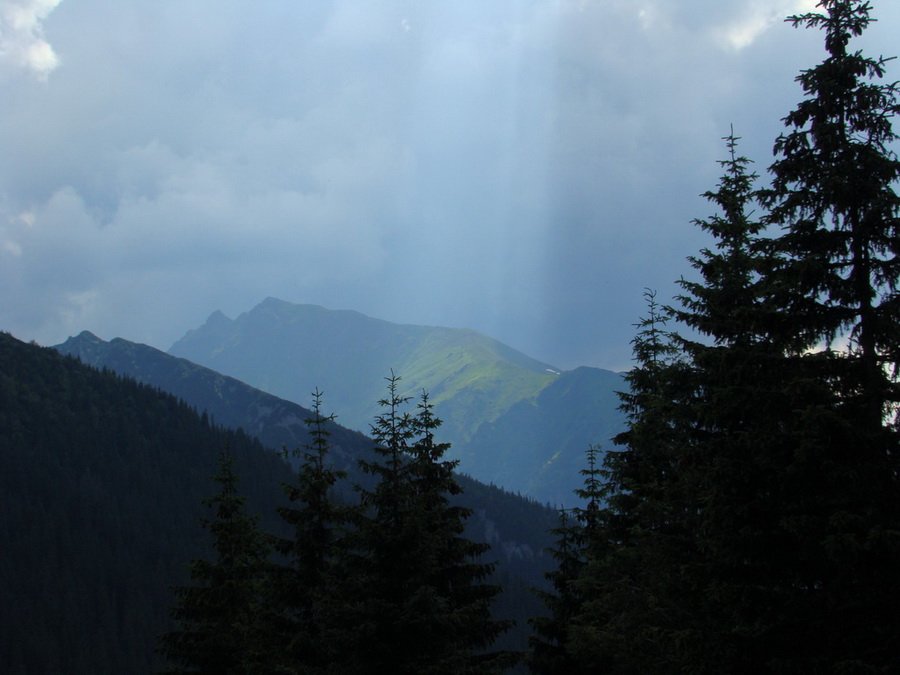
[[517, 528]]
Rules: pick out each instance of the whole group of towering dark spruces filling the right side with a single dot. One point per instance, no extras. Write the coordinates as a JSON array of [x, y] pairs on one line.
[[749, 519]]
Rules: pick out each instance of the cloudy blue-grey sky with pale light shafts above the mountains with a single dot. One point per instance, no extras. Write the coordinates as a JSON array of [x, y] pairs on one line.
[[525, 168]]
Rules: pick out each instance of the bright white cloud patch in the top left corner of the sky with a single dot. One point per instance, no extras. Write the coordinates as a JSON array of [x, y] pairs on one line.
[[22, 42]]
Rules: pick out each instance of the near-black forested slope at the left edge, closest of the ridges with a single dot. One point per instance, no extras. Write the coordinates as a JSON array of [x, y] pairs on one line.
[[101, 481]]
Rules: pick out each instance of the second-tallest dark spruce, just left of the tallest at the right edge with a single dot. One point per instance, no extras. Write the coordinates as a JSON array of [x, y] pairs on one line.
[[748, 409]]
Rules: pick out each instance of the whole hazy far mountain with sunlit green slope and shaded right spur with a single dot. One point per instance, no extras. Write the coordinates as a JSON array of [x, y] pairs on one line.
[[511, 419]]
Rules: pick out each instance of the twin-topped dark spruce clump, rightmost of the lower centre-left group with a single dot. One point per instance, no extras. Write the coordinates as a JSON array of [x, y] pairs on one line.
[[418, 603]]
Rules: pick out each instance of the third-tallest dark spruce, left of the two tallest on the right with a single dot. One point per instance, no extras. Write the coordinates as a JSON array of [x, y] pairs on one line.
[[633, 601]]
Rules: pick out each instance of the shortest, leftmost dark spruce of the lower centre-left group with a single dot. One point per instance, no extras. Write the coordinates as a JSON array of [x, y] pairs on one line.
[[220, 632]]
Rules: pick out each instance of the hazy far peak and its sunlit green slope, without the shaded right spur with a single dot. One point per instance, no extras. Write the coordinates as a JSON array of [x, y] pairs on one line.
[[288, 350]]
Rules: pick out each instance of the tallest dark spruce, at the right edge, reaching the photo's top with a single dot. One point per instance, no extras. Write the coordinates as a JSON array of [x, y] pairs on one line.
[[835, 283]]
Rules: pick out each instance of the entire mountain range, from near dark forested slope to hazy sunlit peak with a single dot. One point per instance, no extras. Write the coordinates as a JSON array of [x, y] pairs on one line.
[[103, 475]]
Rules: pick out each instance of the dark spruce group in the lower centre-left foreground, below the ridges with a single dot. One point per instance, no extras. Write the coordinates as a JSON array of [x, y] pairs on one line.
[[389, 584]]
